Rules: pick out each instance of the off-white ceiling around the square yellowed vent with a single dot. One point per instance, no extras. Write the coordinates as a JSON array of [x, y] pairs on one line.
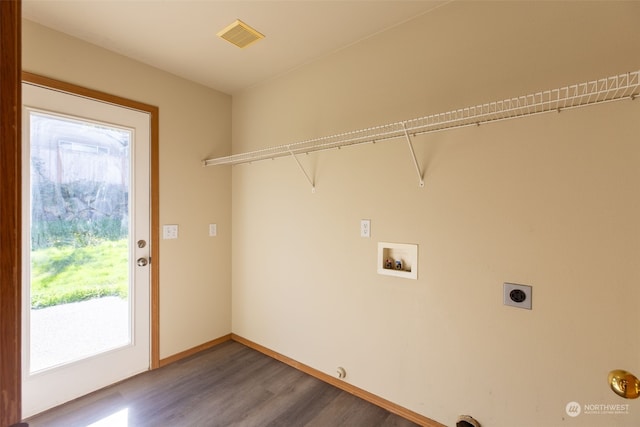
[[179, 36]]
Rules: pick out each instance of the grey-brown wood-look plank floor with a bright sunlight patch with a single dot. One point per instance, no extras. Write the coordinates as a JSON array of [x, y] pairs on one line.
[[228, 385]]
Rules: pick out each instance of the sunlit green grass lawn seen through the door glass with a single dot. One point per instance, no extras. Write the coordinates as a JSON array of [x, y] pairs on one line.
[[69, 274]]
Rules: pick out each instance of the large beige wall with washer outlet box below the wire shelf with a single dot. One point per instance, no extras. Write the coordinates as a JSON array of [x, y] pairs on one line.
[[551, 201]]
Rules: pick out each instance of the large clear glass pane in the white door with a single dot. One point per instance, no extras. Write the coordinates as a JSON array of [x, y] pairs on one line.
[[79, 239]]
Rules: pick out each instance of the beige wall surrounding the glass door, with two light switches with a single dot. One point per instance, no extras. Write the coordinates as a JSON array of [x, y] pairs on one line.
[[195, 122]]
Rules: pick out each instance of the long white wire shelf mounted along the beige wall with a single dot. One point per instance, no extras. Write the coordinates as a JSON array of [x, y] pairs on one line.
[[615, 88]]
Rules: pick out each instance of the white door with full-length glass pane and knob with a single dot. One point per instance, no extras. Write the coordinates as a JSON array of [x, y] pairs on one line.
[[86, 290]]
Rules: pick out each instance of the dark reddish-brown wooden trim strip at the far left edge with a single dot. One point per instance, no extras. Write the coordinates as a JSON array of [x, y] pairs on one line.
[[10, 212]]
